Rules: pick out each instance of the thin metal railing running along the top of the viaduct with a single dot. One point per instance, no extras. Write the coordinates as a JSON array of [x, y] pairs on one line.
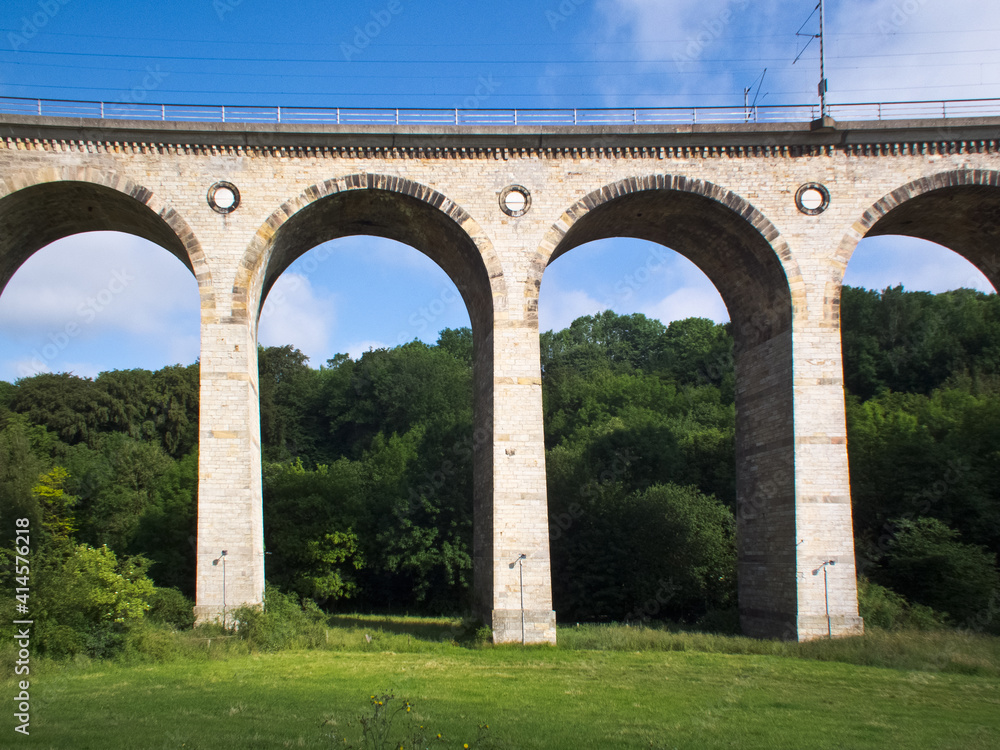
[[509, 117]]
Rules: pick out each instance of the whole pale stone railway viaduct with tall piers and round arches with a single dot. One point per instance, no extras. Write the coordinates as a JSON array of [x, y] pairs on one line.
[[771, 213]]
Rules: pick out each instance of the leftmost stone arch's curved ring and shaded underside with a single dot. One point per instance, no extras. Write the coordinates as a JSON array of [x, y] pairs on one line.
[[39, 208]]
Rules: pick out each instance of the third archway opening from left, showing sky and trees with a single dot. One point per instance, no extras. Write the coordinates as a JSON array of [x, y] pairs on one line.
[[639, 422]]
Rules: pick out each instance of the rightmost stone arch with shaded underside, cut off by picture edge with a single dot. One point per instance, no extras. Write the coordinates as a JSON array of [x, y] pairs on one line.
[[959, 209]]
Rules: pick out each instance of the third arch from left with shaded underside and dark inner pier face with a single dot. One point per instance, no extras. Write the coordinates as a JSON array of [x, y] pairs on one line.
[[743, 254]]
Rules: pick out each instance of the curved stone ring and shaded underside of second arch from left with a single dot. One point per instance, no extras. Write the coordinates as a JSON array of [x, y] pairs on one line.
[[380, 205]]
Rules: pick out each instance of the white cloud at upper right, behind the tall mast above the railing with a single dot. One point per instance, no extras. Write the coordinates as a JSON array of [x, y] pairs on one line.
[[876, 50]]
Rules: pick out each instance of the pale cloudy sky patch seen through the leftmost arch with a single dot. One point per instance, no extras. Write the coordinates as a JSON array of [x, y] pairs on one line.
[[100, 297]]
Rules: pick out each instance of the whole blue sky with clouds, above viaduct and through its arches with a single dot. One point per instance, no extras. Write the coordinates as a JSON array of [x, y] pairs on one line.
[[68, 308]]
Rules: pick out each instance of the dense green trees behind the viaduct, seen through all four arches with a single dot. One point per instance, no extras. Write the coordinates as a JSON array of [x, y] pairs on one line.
[[368, 467]]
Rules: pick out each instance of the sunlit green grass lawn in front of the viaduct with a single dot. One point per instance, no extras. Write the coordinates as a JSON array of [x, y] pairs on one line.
[[579, 695]]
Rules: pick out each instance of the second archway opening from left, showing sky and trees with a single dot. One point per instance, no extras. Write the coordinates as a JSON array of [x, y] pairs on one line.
[[381, 421]]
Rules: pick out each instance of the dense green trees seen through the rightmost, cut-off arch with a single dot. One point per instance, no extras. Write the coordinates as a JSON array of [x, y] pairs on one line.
[[923, 422]]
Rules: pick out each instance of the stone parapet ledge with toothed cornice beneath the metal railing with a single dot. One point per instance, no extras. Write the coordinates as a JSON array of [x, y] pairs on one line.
[[377, 141]]
